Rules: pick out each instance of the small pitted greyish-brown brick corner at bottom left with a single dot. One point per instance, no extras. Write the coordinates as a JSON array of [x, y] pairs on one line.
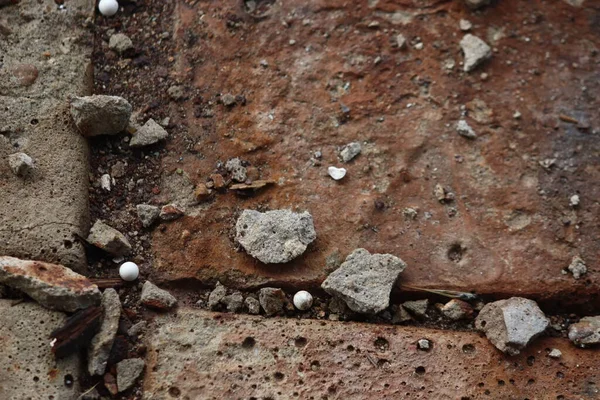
[[28, 369]]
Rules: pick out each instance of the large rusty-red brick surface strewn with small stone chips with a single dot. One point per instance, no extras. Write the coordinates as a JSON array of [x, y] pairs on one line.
[[510, 229]]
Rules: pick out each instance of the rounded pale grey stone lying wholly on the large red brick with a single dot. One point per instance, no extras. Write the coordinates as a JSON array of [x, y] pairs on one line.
[[275, 236]]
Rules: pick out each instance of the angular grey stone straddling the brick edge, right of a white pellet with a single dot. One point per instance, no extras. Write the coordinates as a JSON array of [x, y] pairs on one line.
[[364, 281]]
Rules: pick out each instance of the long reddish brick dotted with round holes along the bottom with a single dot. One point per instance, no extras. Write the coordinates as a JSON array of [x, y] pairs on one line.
[[202, 355]]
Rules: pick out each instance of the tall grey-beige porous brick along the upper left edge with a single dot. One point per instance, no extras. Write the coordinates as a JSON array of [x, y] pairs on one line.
[[43, 214]]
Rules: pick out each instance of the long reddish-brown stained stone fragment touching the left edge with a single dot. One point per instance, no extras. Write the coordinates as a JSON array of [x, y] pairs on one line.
[[51, 285]]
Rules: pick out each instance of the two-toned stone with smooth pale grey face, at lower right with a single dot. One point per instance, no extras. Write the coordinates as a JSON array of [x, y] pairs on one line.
[[511, 324]]
